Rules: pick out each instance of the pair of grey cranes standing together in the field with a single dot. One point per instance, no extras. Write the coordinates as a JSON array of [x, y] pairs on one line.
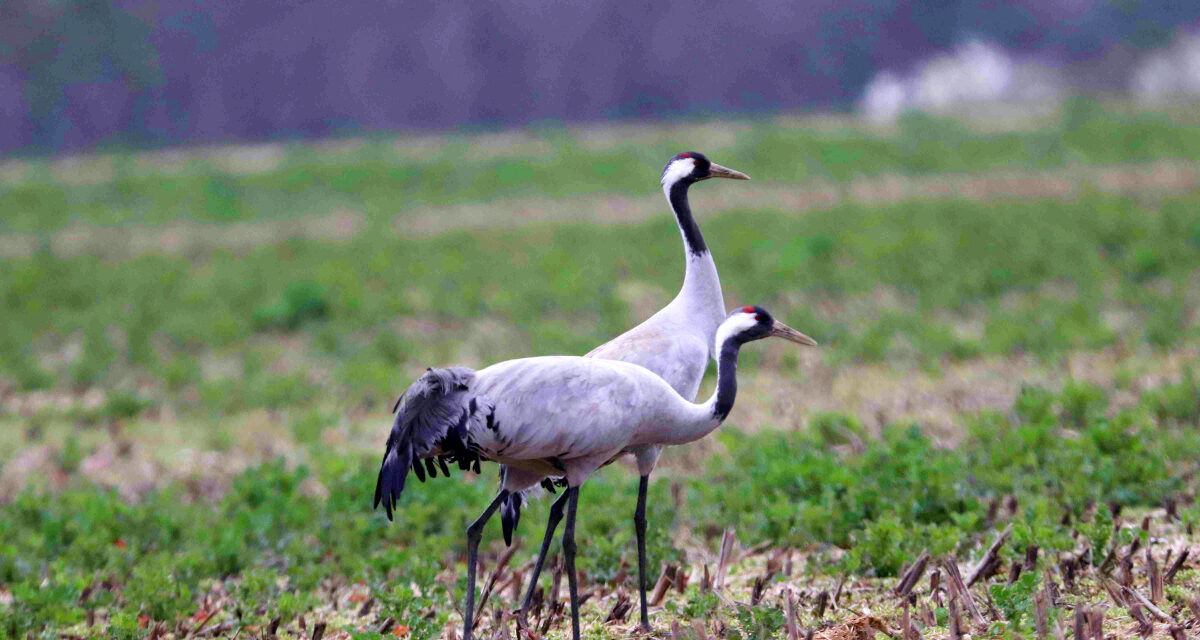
[[561, 418]]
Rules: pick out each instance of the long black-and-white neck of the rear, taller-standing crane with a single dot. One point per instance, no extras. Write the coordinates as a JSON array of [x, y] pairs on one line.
[[701, 292]]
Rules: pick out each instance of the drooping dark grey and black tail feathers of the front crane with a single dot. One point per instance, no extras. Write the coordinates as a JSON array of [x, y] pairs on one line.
[[434, 418]]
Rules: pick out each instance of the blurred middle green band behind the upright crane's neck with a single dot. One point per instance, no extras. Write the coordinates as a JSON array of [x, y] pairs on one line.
[[961, 279]]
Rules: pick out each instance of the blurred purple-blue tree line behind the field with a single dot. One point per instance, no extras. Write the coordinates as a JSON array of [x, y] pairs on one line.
[[75, 74]]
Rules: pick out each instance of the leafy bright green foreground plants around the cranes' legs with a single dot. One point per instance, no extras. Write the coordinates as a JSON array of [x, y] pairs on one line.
[[275, 547]]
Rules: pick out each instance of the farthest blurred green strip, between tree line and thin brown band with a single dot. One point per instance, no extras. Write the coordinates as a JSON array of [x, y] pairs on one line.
[[381, 178]]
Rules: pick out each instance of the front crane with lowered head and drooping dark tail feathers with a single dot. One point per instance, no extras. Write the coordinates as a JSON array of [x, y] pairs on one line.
[[554, 416]]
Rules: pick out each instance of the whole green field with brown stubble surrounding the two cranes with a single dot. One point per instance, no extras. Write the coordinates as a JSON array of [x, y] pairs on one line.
[[199, 362]]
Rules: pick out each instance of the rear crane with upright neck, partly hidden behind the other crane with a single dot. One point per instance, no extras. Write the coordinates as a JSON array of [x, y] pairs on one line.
[[676, 344]]
